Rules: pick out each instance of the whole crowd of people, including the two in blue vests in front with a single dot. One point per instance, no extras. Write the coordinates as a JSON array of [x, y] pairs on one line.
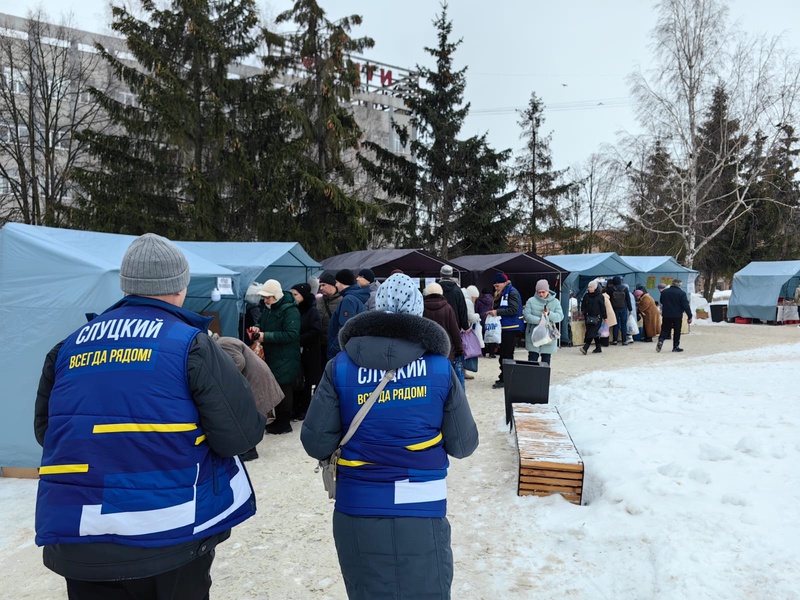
[[146, 418]]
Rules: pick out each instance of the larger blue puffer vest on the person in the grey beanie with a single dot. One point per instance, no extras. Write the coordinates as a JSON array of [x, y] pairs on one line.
[[124, 457]]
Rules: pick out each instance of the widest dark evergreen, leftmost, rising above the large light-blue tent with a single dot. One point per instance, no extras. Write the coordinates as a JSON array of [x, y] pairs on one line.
[[182, 161]]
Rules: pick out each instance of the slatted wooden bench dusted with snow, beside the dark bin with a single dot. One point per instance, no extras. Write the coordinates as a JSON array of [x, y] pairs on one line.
[[549, 463]]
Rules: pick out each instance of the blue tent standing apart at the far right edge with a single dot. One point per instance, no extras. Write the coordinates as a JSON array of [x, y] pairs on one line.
[[756, 288]]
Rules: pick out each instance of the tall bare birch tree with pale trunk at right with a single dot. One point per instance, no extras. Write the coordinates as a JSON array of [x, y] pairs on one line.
[[697, 52]]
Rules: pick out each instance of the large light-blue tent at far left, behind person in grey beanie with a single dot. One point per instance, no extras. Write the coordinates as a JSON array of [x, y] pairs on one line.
[[49, 279]]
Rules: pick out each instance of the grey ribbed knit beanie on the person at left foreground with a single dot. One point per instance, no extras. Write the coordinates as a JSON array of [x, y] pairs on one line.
[[153, 266]]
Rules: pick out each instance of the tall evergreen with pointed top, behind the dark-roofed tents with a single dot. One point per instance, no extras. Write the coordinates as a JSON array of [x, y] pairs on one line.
[[451, 184]]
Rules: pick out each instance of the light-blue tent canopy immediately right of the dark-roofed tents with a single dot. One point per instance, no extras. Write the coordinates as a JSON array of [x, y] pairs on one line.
[[585, 267]]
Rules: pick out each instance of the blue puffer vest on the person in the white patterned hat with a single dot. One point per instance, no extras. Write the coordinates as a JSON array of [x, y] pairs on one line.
[[395, 464]]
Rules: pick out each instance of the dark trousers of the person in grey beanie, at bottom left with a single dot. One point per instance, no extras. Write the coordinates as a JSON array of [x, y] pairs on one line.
[[192, 581]]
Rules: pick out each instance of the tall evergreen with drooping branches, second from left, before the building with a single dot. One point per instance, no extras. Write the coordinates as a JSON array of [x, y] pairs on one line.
[[317, 61]]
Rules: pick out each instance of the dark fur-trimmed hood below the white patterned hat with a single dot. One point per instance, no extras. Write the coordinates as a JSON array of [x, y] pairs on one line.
[[379, 340]]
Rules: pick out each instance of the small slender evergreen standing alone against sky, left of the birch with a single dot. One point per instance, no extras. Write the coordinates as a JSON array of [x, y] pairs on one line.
[[538, 184]]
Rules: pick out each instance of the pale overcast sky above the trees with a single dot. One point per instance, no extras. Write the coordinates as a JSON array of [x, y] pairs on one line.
[[575, 55]]
